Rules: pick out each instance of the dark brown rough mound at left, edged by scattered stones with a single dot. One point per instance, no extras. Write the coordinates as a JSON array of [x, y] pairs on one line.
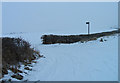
[[16, 51]]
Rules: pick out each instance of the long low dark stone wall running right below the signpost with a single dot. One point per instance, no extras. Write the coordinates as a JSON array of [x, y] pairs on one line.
[[67, 39]]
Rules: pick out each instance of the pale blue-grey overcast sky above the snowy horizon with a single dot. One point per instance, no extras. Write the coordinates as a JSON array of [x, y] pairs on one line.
[[34, 17]]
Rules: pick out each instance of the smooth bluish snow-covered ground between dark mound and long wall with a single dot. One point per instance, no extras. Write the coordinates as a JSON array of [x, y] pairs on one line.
[[90, 61]]
